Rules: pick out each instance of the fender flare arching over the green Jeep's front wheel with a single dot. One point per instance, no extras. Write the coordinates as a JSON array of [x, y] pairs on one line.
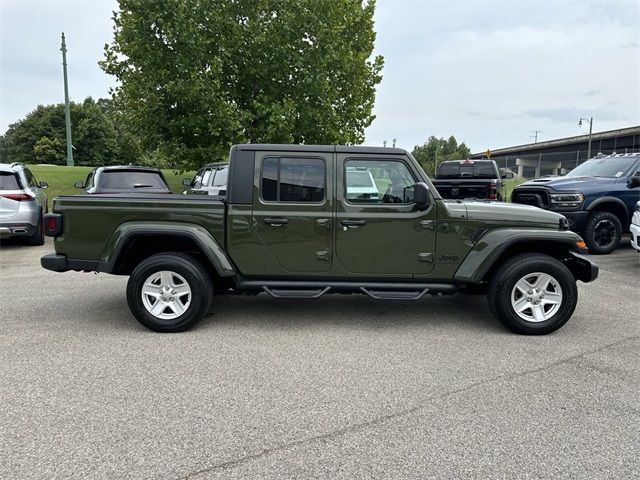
[[488, 249]]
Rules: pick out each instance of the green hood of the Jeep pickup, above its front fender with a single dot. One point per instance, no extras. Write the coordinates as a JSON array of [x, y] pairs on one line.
[[511, 213]]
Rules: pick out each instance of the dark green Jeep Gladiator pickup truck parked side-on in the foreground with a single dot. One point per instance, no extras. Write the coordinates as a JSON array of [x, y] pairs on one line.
[[290, 226]]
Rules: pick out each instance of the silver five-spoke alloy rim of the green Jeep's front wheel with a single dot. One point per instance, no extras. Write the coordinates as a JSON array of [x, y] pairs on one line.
[[536, 297]]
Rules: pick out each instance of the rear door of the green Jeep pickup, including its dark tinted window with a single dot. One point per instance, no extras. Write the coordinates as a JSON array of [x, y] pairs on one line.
[[292, 214]]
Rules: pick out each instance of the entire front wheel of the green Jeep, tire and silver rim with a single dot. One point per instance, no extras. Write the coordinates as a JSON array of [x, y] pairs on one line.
[[533, 294]]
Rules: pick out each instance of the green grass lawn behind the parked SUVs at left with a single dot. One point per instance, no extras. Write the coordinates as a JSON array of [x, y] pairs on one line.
[[62, 178]]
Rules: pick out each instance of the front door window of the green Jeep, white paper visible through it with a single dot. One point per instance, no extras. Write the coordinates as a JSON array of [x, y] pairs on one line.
[[378, 181]]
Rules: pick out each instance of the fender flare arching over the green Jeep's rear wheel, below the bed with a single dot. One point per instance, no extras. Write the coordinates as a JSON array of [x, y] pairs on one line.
[[128, 230]]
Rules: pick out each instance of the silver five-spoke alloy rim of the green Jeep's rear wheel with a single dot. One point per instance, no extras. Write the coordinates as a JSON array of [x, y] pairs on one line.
[[166, 295]]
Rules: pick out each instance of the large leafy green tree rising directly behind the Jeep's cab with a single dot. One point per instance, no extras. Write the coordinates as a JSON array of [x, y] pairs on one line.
[[196, 77]]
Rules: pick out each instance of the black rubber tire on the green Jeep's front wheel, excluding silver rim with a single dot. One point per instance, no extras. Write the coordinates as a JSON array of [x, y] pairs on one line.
[[503, 286]]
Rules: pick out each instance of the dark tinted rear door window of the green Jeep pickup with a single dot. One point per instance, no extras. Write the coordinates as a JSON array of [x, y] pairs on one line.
[[289, 179]]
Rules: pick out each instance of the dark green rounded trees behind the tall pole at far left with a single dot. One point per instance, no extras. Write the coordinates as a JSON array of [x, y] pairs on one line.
[[40, 136]]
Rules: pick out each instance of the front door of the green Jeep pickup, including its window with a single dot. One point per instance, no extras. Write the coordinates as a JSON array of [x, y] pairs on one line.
[[379, 230]]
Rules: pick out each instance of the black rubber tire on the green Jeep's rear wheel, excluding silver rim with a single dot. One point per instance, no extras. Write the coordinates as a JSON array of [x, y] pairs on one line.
[[195, 276]]
